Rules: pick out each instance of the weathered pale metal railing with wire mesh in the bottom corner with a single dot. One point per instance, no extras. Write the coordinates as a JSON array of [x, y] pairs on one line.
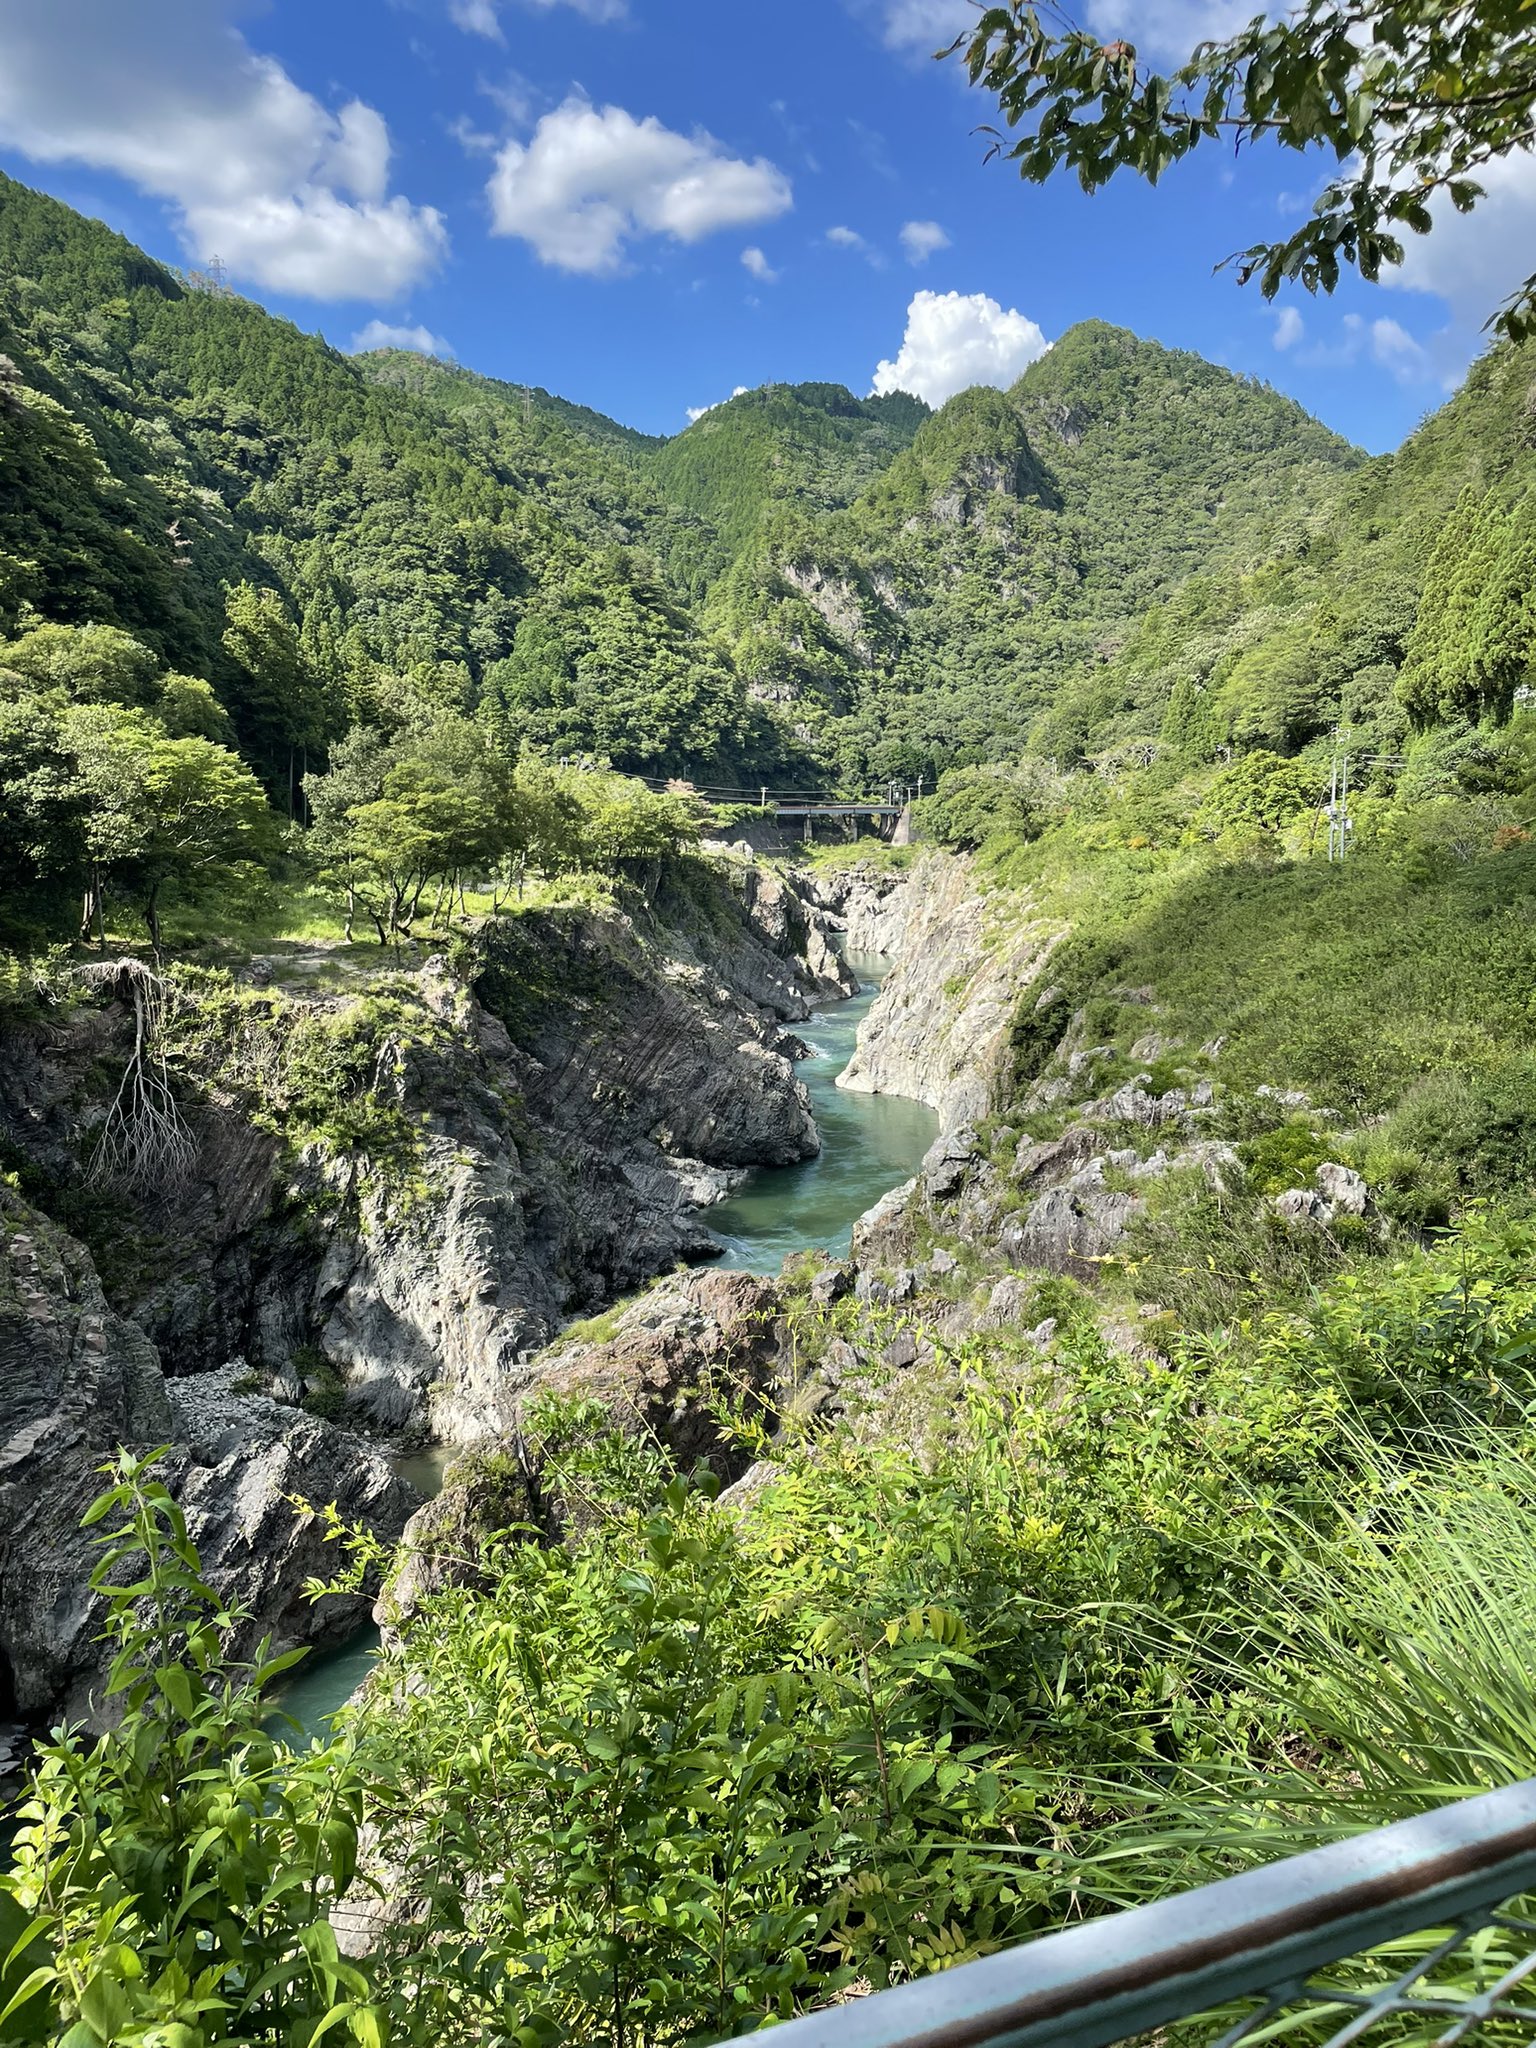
[[1263, 1936]]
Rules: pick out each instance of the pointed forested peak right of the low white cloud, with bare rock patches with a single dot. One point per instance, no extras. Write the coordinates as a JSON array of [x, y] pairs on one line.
[[1015, 540]]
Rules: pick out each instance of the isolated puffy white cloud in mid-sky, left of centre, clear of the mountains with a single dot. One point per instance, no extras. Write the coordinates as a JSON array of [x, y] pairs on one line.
[[593, 179]]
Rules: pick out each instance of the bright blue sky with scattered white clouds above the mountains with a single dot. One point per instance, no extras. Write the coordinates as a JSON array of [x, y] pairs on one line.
[[650, 204]]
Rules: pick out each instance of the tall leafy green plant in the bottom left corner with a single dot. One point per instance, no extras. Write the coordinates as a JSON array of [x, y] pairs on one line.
[[175, 1877]]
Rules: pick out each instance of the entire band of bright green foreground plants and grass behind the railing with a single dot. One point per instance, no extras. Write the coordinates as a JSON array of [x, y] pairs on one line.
[[691, 1770]]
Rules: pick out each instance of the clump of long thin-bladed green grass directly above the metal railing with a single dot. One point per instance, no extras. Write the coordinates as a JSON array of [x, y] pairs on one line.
[[1371, 1668]]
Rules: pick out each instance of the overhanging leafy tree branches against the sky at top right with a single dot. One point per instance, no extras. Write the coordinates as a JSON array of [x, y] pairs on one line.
[[1412, 101]]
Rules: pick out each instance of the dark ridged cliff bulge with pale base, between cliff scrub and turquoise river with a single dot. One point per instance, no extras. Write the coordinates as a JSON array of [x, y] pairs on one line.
[[591, 1113]]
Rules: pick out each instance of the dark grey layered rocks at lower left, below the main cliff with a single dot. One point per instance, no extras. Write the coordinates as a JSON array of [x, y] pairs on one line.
[[83, 1383]]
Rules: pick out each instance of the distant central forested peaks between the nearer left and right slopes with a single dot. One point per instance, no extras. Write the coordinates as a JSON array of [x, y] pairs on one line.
[[912, 589]]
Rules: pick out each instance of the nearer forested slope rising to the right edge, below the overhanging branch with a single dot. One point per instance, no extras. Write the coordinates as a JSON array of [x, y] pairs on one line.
[[1328, 624]]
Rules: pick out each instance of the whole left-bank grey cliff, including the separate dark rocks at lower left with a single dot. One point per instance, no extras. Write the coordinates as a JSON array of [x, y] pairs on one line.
[[402, 1183]]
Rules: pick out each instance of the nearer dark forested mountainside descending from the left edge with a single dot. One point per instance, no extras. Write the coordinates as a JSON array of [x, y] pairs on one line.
[[167, 445]]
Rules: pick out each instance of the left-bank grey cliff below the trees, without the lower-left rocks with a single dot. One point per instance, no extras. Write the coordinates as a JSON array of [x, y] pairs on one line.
[[566, 1105]]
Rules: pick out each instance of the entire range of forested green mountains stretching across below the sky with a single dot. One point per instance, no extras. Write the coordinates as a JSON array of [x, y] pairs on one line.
[[1129, 550]]
